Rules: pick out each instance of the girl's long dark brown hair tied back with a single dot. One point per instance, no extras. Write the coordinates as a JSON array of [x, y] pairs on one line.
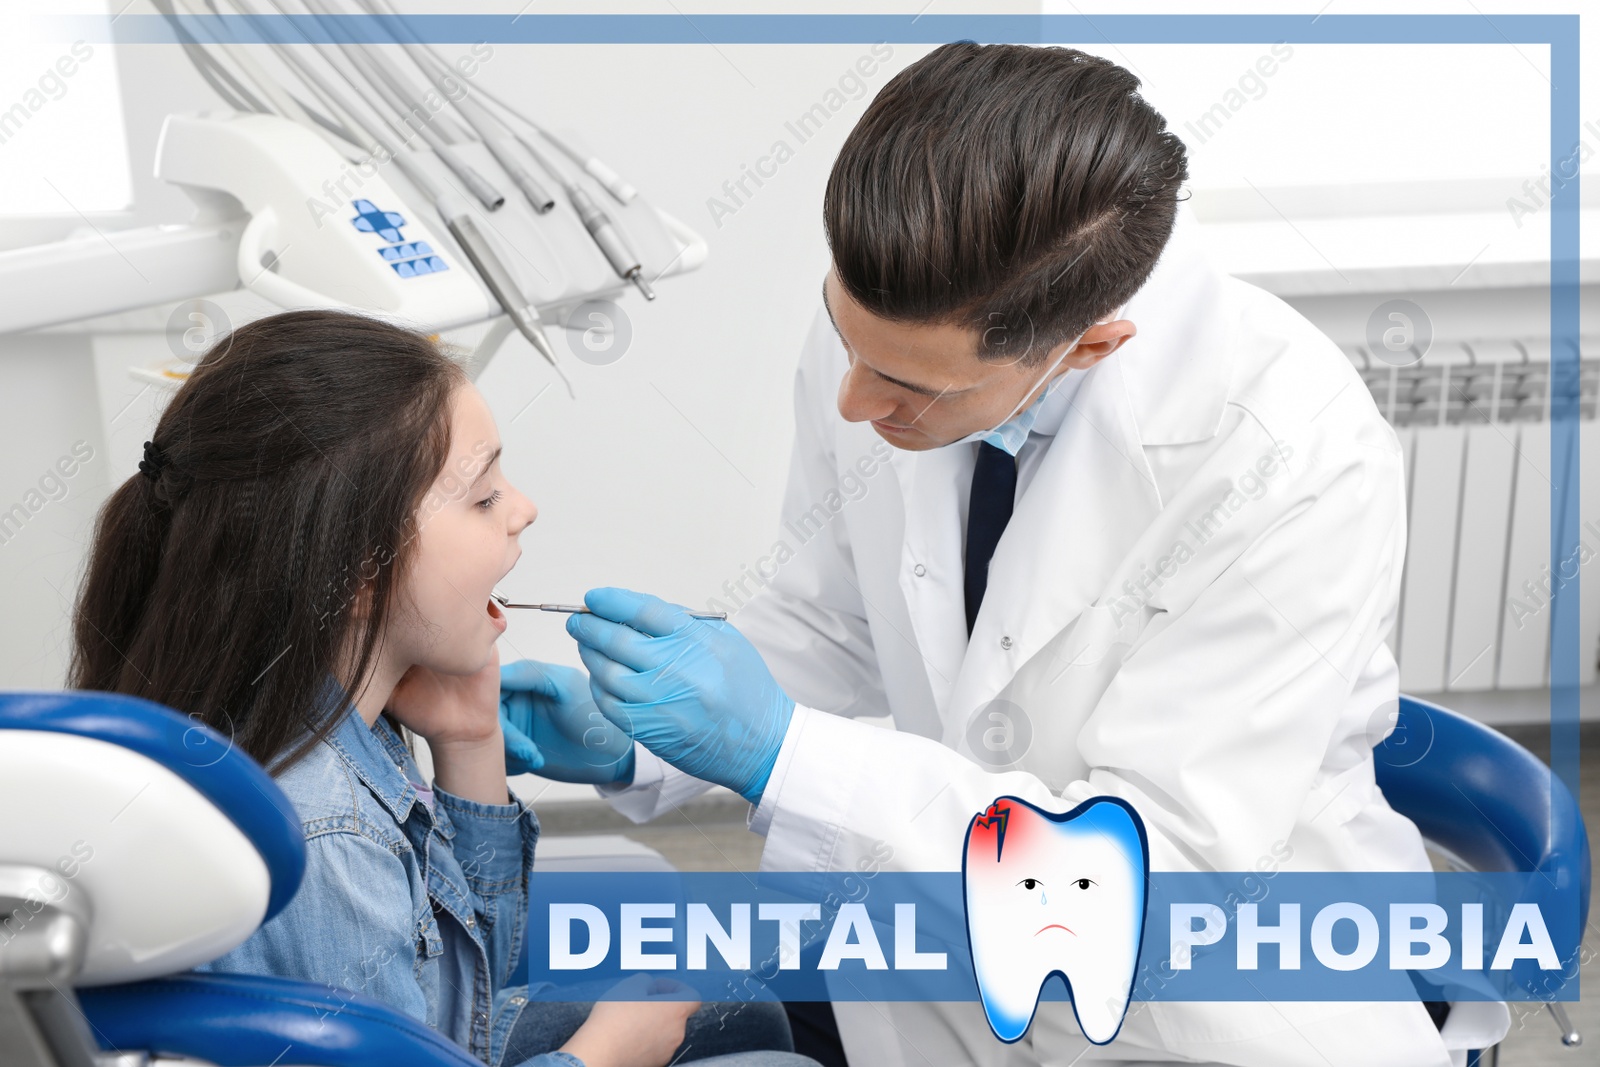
[[260, 551]]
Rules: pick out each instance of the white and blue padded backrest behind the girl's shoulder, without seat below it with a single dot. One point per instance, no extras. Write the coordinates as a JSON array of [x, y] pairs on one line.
[[180, 844]]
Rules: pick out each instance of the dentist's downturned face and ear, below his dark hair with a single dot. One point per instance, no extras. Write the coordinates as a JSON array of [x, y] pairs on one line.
[[922, 386]]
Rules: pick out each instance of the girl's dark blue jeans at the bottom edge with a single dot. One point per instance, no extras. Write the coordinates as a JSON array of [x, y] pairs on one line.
[[745, 1034]]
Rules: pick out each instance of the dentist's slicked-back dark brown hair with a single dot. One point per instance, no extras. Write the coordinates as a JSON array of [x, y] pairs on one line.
[[1022, 193]]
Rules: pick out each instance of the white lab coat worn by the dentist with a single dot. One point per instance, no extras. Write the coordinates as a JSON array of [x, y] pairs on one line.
[[1233, 695]]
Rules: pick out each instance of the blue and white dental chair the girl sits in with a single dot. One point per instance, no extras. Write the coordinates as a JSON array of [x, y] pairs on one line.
[[140, 844]]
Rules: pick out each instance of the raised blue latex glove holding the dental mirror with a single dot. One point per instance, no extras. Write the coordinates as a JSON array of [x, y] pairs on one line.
[[694, 692]]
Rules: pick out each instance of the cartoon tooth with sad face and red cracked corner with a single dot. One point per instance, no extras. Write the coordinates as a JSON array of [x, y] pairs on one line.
[[1055, 895]]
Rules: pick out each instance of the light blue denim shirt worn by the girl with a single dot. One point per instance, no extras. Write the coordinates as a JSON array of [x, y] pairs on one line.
[[423, 911]]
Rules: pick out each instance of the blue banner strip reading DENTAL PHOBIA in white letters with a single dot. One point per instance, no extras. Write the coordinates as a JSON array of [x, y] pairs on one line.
[[900, 937]]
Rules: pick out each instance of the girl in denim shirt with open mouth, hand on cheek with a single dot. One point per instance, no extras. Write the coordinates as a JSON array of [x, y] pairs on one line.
[[305, 562]]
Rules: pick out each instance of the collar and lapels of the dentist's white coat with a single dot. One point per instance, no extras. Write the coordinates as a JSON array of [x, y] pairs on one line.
[[1092, 497]]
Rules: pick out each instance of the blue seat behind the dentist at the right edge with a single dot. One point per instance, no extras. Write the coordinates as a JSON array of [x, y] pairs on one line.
[[1487, 804]]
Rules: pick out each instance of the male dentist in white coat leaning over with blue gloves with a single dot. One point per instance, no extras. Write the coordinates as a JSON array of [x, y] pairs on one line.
[[1086, 518]]
